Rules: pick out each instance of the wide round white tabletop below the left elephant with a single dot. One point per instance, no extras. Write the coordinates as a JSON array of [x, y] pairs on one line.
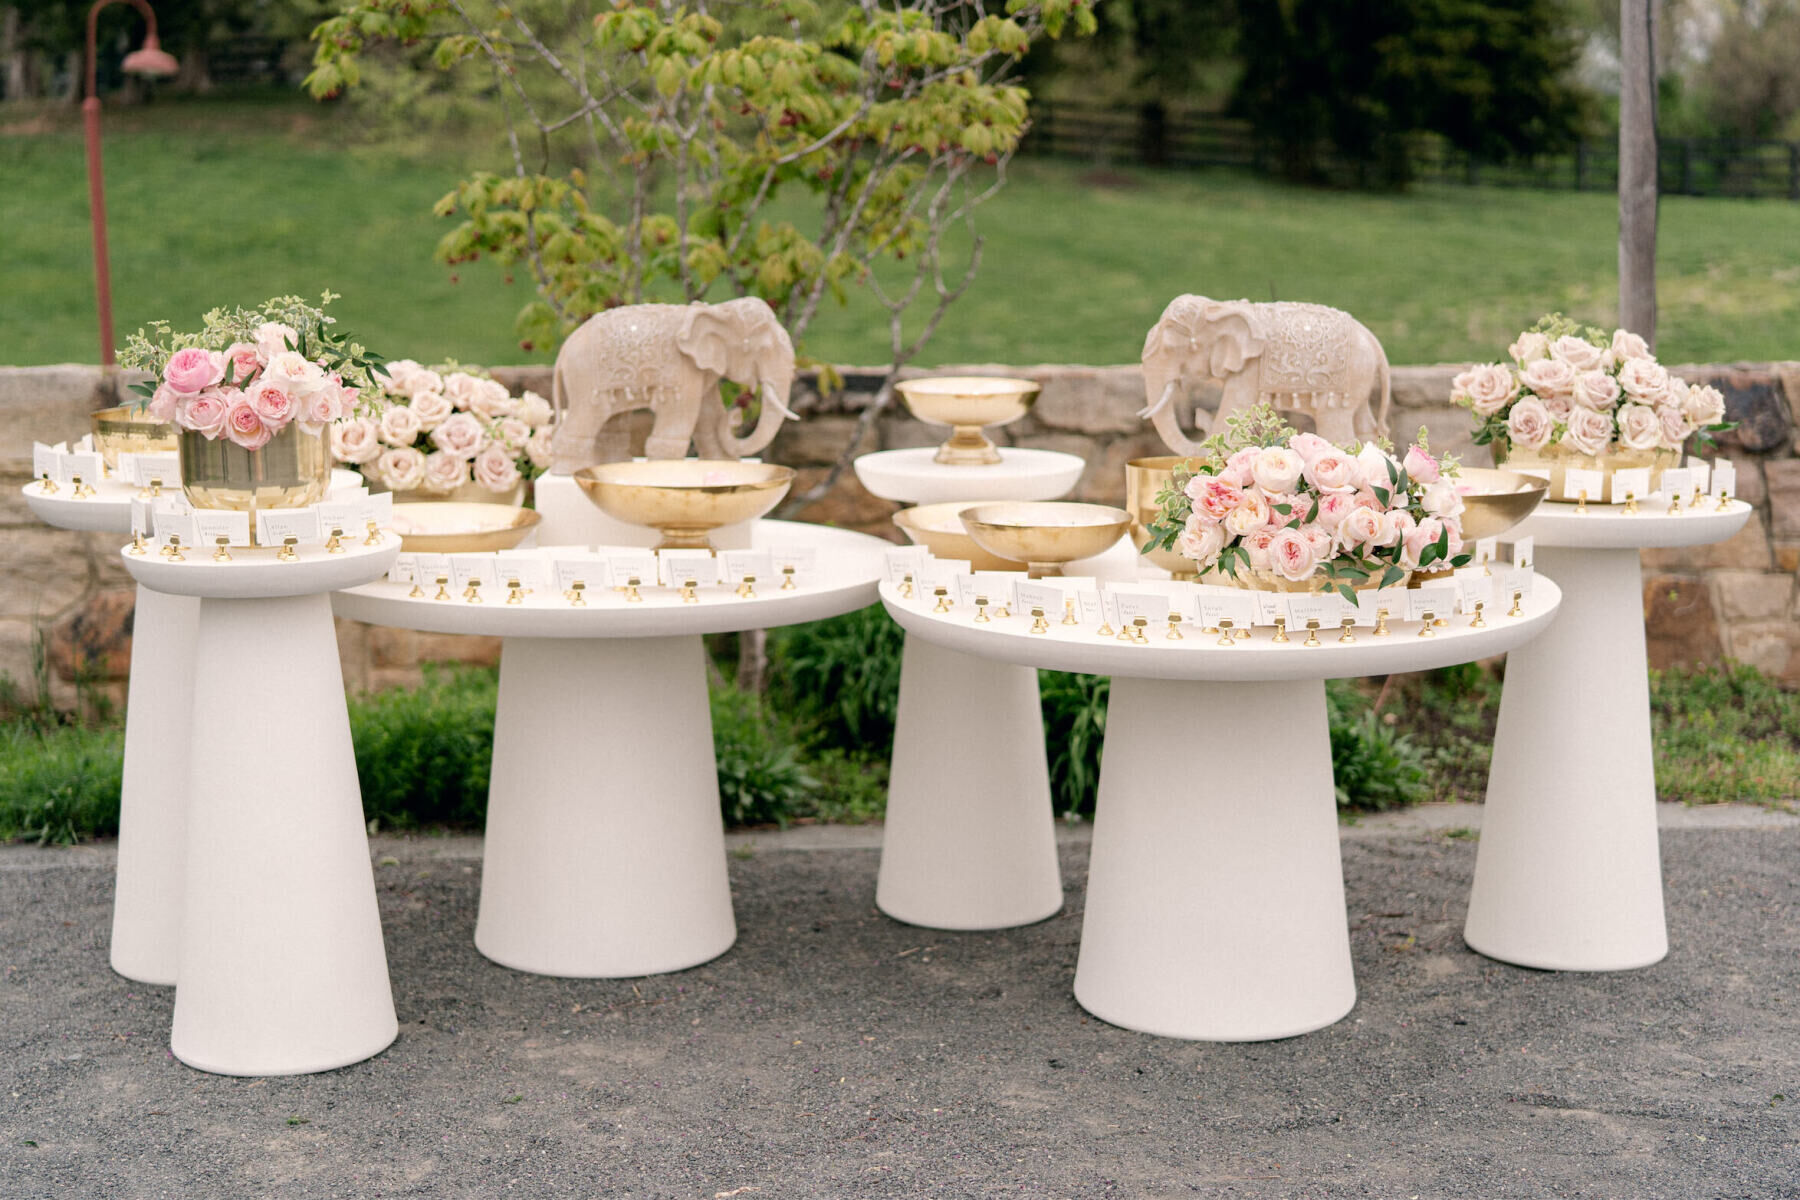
[[849, 566]]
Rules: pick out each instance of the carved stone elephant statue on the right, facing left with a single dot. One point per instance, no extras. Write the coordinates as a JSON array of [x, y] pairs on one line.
[[1297, 357]]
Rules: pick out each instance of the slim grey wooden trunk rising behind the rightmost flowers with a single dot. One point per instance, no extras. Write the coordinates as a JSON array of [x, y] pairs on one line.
[[1637, 168]]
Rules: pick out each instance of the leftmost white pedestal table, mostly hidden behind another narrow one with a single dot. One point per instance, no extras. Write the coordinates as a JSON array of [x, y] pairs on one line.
[[154, 791]]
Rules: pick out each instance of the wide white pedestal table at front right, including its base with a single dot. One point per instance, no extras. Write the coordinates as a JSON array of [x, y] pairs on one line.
[[1216, 904]]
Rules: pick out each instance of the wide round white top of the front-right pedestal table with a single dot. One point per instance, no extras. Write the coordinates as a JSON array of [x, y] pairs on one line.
[[1201, 658]]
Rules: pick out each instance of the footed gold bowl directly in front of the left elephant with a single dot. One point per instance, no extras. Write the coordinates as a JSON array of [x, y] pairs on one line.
[[685, 499]]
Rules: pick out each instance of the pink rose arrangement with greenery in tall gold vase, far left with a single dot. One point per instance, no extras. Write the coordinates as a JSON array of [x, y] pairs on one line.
[[253, 395]]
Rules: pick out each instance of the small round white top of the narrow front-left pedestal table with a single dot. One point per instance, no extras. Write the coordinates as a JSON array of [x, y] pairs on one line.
[[255, 573]]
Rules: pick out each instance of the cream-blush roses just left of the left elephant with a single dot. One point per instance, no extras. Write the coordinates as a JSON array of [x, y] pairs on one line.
[[447, 431]]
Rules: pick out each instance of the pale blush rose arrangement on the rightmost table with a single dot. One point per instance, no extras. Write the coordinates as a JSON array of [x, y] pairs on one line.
[[1585, 399]]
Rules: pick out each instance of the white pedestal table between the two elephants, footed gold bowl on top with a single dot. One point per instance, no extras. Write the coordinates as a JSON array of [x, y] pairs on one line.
[[969, 841]]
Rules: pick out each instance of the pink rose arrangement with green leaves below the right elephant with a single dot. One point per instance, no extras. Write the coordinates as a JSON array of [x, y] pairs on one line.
[[1270, 508]]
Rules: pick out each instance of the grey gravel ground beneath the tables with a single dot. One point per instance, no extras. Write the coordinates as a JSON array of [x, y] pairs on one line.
[[836, 1053]]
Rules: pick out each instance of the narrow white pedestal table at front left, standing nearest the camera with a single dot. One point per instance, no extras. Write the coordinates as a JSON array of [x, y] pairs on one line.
[[282, 958]]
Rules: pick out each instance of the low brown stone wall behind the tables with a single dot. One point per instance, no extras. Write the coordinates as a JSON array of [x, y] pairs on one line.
[[1704, 605]]
